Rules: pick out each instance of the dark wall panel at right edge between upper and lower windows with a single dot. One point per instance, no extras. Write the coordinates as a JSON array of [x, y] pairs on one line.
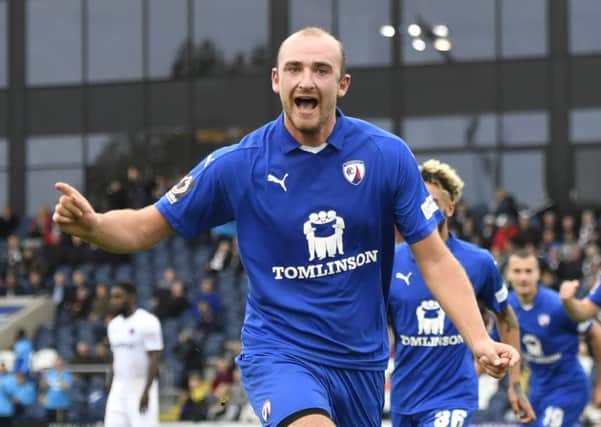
[[585, 87]]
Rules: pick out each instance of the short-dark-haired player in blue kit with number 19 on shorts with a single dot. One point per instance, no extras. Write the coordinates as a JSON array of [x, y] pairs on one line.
[[559, 387]]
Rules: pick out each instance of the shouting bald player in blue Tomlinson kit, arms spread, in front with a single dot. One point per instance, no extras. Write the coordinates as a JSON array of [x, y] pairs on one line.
[[315, 195]]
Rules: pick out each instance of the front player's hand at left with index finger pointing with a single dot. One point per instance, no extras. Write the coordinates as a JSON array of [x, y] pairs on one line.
[[73, 213]]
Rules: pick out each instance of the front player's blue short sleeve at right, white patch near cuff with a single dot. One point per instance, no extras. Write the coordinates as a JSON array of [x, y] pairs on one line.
[[416, 213]]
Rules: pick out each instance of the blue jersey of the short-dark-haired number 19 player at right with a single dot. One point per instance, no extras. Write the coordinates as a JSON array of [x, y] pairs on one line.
[[550, 341]]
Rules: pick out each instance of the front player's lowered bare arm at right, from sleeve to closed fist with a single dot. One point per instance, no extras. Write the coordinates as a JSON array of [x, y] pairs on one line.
[[448, 282]]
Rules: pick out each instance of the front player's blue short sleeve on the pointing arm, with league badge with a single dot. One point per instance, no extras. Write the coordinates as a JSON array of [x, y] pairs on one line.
[[200, 200]]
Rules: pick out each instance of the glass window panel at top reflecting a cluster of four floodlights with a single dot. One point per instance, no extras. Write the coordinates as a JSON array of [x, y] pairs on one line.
[[470, 24]]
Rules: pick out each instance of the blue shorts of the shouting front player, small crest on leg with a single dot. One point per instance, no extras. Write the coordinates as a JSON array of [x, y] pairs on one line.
[[283, 388]]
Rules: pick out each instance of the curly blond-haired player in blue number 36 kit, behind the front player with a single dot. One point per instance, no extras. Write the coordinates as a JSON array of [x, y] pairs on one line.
[[434, 382]]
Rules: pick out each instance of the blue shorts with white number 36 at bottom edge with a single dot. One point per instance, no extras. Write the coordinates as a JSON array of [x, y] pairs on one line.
[[452, 417]]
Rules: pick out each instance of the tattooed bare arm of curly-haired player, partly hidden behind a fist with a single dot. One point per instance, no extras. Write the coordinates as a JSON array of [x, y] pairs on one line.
[[509, 331]]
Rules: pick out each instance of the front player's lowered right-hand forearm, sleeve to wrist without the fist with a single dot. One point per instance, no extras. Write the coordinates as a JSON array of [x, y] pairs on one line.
[[451, 287]]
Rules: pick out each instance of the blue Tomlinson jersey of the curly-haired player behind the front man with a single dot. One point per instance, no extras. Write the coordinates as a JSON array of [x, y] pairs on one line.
[[433, 367]]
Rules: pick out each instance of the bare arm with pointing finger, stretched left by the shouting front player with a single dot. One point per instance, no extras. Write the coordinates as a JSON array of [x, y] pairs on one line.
[[119, 231]]
